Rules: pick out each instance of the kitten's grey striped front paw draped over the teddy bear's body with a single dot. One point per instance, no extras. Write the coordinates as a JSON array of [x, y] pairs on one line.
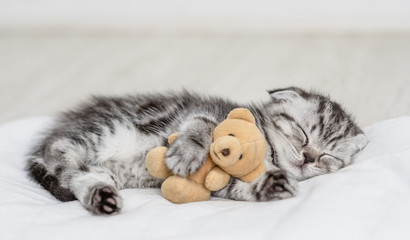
[[186, 155]]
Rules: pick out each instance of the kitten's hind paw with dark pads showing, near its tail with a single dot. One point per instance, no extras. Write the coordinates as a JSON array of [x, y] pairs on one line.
[[105, 201]]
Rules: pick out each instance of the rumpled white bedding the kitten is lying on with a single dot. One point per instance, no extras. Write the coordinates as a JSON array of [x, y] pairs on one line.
[[367, 200]]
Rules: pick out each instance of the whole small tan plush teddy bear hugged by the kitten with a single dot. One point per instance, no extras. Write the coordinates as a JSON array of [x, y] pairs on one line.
[[238, 150]]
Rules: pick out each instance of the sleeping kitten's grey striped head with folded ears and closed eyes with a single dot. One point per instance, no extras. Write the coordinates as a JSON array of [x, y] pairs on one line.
[[311, 134]]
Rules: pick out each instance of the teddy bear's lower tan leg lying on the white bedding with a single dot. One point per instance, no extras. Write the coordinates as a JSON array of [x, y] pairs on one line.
[[181, 190]]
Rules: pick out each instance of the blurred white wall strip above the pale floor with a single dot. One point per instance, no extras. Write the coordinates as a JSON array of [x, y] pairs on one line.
[[250, 15]]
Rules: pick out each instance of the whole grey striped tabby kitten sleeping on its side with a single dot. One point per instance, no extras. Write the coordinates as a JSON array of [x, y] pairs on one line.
[[94, 151]]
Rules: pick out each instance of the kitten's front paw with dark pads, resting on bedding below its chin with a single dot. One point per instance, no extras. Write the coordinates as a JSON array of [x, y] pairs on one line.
[[275, 185]]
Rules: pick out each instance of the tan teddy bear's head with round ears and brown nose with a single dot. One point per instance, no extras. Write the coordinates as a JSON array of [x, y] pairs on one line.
[[238, 146]]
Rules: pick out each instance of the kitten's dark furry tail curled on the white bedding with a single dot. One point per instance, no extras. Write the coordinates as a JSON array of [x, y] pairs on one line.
[[39, 173]]
